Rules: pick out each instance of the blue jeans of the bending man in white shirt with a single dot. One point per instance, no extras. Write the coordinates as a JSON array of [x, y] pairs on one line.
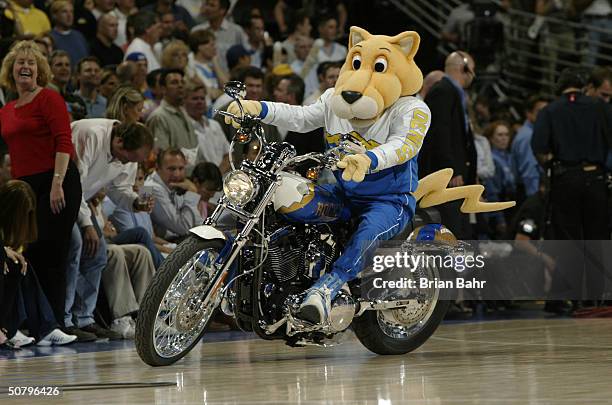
[[82, 281]]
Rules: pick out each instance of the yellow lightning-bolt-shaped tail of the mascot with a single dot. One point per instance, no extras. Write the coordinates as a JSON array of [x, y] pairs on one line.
[[432, 190]]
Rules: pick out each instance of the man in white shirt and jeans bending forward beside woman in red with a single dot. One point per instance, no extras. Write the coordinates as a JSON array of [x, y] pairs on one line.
[[106, 153]]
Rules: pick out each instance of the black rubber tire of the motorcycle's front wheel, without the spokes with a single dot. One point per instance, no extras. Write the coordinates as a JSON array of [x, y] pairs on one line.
[[147, 316]]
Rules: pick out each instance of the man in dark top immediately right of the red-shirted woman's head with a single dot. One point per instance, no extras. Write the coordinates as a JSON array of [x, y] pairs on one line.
[[61, 72]]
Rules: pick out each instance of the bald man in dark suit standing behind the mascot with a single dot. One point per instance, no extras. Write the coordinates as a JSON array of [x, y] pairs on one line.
[[450, 142]]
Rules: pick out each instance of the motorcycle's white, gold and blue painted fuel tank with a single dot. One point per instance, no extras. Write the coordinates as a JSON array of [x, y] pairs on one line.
[[298, 199]]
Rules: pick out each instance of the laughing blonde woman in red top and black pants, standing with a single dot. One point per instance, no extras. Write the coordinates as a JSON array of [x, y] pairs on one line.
[[36, 129]]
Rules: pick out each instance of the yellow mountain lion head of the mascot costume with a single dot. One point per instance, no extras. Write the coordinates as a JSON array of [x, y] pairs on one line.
[[378, 70]]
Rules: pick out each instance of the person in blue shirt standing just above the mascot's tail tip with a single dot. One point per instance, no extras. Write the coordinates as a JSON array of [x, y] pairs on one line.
[[523, 159]]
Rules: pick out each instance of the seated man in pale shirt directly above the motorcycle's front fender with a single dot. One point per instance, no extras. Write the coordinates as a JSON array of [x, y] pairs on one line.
[[176, 198]]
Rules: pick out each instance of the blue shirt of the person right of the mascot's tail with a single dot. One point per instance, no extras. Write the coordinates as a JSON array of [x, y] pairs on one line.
[[526, 166]]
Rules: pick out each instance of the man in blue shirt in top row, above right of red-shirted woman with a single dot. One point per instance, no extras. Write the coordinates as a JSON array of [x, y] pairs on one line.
[[65, 38]]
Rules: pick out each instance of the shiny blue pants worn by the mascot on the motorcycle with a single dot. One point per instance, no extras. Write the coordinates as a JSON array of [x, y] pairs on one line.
[[380, 219]]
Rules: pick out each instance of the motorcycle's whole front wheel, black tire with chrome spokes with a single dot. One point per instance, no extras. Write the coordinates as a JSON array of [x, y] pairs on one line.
[[172, 317]]
